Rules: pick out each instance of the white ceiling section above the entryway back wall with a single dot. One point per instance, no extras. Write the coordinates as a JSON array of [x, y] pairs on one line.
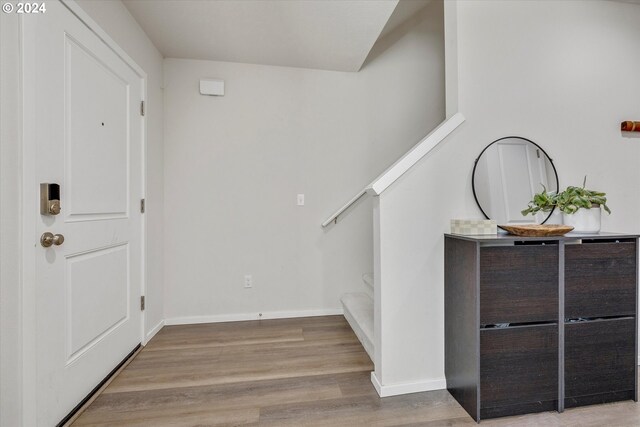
[[320, 34]]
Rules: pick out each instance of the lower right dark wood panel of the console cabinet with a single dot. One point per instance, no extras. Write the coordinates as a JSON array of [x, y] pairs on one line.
[[599, 360]]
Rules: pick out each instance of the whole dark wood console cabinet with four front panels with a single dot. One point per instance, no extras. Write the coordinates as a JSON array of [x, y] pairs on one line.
[[540, 324]]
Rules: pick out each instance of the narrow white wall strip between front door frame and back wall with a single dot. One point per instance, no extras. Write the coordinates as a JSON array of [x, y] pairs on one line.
[[116, 20]]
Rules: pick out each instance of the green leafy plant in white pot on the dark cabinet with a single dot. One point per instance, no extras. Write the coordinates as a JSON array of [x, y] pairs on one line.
[[580, 207]]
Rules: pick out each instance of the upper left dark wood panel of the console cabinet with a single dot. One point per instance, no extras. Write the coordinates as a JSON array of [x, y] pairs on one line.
[[518, 284]]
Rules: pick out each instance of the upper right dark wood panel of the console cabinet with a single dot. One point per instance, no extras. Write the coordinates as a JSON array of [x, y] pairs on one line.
[[600, 280]]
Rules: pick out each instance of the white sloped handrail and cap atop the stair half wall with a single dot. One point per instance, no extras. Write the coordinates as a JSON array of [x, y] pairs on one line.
[[405, 163]]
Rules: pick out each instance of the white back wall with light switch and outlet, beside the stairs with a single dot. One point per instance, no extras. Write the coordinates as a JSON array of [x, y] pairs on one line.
[[234, 164]]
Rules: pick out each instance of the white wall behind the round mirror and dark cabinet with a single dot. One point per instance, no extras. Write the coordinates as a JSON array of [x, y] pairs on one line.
[[559, 73]]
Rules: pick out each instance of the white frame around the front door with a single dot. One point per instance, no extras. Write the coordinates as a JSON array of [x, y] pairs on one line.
[[30, 198]]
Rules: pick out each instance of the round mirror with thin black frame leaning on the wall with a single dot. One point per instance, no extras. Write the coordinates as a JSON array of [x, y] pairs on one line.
[[507, 174]]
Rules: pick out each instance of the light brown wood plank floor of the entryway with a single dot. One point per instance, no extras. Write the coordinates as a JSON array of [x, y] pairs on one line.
[[289, 372]]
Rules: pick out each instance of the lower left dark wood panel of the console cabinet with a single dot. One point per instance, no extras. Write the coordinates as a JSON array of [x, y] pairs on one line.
[[518, 370]]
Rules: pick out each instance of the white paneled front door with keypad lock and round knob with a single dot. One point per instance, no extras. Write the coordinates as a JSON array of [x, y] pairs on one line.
[[82, 109]]
